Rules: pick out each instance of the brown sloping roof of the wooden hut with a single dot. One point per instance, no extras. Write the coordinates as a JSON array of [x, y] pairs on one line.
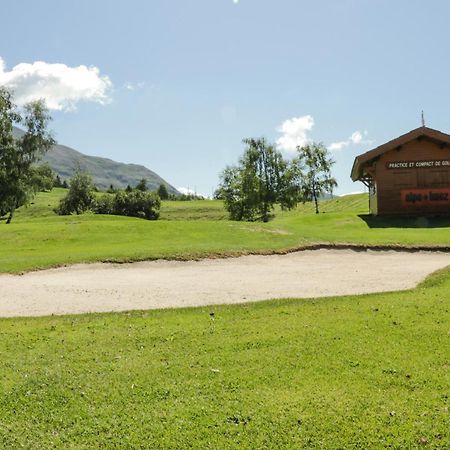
[[422, 132]]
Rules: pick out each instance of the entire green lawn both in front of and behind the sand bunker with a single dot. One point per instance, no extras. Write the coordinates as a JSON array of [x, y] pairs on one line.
[[368, 371]]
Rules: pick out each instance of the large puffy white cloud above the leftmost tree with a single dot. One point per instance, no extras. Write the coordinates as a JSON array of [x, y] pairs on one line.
[[61, 86]]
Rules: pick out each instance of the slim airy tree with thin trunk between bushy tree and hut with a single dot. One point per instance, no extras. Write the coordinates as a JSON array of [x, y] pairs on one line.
[[312, 169]]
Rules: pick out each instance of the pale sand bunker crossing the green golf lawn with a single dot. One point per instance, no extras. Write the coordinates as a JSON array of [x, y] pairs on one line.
[[165, 284]]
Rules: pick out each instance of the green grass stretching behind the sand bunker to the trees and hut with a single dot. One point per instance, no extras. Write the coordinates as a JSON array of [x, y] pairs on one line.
[[37, 238]]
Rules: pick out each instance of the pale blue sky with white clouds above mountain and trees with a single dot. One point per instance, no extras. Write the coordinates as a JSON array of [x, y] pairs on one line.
[[175, 85]]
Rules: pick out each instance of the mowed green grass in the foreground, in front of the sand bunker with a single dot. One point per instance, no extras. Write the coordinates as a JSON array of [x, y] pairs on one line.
[[352, 372]]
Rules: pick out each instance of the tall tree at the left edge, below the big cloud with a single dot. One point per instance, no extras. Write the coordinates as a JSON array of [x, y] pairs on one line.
[[18, 155]]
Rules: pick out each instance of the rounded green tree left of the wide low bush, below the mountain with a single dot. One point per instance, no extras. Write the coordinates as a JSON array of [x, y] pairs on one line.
[[80, 197]]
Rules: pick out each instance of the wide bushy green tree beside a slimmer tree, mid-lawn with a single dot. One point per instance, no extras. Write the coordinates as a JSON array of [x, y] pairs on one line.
[[261, 179]]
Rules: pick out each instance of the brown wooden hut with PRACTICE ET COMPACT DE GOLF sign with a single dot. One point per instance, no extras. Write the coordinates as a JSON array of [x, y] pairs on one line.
[[409, 175]]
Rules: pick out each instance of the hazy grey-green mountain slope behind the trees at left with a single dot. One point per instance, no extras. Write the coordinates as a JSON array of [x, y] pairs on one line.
[[65, 160]]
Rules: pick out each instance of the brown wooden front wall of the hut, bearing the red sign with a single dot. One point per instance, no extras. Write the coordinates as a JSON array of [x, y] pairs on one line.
[[413, 190]]
